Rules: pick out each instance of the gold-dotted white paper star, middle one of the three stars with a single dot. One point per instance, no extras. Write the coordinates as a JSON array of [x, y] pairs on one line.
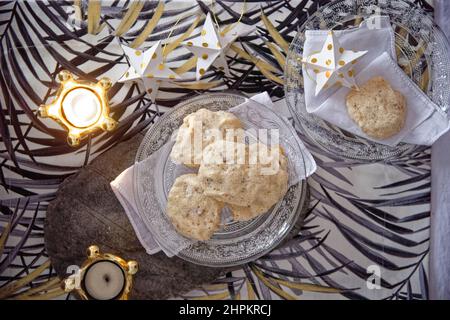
[[211, 46]]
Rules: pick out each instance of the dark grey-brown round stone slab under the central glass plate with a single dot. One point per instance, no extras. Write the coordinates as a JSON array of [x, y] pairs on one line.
[[87, 212]]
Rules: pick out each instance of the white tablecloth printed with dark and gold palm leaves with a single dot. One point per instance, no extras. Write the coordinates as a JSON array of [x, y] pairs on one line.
[[366, 219]]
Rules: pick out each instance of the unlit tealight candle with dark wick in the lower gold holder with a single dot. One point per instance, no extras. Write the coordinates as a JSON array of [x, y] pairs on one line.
[[104, 280]]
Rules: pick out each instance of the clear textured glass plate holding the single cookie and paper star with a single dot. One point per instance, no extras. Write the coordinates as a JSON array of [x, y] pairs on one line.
[[422, 51]]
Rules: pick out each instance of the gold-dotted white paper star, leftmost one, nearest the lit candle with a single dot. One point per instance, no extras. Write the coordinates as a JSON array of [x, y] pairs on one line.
[[149, 66]]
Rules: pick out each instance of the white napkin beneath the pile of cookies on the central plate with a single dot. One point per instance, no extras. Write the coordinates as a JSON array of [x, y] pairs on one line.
[[254, 113]]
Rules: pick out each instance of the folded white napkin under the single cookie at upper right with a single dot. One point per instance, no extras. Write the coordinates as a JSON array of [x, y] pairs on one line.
[[425, 121]]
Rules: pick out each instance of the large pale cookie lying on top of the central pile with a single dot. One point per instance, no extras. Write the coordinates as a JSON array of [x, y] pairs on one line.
[[249, 186]]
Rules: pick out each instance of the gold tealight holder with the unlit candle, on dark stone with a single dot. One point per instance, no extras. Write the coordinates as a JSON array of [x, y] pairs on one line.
[[103, 276]]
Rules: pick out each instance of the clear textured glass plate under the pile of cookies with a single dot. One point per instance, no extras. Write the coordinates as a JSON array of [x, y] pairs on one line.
[[237, 242]]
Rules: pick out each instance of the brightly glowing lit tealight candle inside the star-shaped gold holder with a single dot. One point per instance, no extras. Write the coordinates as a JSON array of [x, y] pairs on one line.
[[81, 107]]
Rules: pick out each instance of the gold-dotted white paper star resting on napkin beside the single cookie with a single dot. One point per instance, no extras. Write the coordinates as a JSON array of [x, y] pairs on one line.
[[333, 64]]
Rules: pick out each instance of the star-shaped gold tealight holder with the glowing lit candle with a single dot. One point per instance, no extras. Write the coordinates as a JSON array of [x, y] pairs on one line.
[[80, 107]]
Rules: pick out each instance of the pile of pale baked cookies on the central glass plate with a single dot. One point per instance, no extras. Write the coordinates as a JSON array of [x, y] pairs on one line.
[[230, 173]]
